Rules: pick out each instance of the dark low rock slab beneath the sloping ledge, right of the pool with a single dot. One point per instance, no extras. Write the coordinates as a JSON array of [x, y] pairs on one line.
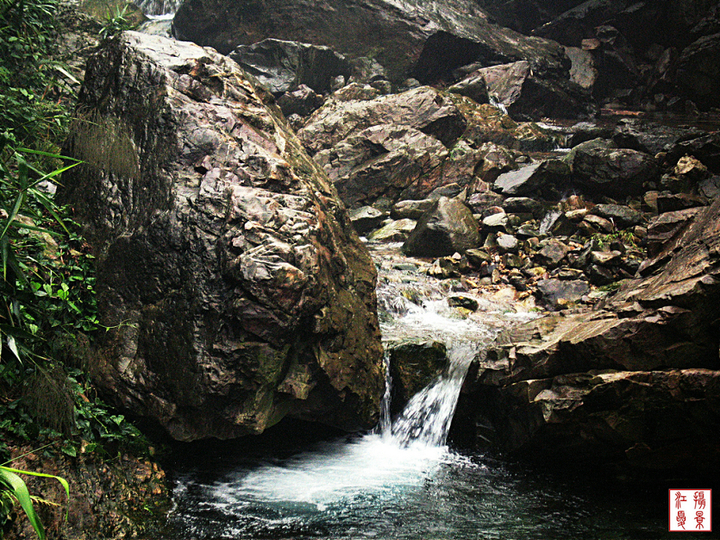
[[632, 420]]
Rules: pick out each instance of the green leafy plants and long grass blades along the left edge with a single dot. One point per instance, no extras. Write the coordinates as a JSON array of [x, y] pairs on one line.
[[48, 314]]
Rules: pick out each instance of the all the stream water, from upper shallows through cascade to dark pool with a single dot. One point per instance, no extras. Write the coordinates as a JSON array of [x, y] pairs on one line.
[[402, 481]]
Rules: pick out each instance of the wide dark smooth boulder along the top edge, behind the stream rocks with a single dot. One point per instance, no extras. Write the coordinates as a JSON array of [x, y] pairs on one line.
[[425, 40]]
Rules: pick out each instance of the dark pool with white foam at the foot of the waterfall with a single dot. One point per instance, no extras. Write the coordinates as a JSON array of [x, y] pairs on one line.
[[368, 487]]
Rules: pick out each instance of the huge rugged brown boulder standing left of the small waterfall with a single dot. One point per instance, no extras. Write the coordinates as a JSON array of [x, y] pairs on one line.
[[232, 284]]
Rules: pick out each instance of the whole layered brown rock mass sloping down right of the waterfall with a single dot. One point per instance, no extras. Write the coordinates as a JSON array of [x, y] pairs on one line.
[[634, 381]]
